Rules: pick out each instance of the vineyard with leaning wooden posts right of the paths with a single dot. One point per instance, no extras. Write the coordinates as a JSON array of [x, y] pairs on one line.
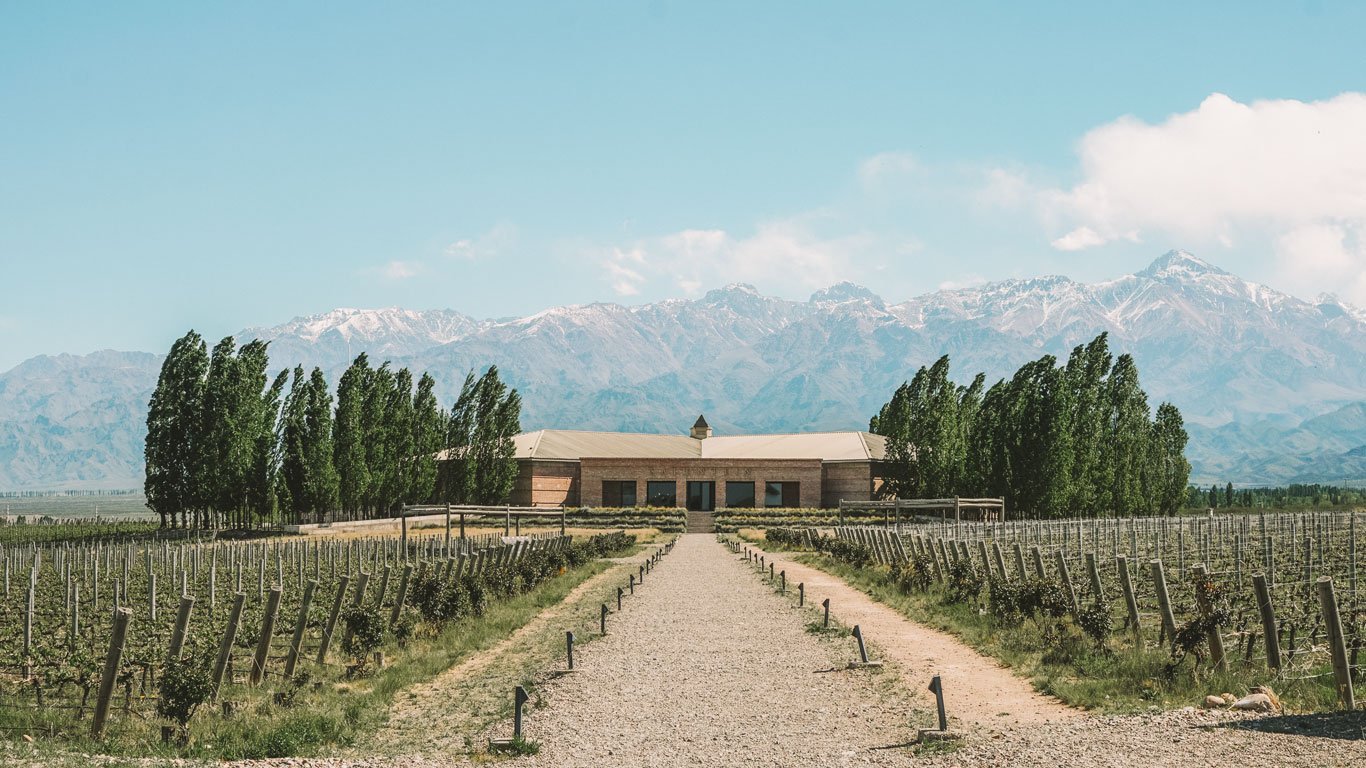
[[1270, 596]]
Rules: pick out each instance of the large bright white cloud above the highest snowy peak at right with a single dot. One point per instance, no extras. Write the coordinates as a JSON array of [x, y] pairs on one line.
[[1226, 176]]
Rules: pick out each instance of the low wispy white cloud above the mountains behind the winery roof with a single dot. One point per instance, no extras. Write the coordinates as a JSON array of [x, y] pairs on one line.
[[787, 258]]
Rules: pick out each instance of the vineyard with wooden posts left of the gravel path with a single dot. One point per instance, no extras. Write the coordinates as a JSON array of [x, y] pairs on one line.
[[133, 642]]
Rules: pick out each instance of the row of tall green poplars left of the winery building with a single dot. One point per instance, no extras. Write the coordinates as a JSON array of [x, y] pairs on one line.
[[232, 446]]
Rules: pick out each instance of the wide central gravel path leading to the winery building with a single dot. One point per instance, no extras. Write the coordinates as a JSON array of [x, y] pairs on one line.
[[708, 666]]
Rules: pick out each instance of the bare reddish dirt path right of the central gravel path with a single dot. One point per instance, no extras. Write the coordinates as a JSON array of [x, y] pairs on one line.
[[977, 691]]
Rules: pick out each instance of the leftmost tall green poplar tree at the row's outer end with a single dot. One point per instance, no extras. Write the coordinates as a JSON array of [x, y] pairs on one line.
[[174, 430]]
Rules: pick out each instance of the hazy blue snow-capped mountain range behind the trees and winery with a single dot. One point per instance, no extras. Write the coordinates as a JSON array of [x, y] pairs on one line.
[[1272, 387]]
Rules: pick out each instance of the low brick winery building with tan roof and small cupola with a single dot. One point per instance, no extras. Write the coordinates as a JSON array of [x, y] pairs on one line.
[[697, 471]]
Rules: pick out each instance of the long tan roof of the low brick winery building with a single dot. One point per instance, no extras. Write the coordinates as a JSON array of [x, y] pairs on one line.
[[563, 445]]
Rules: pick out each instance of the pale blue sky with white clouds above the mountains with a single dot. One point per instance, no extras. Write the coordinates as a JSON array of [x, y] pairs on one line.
[[221, 166]]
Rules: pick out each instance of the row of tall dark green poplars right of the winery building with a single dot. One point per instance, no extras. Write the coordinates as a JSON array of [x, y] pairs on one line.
[[1054, 441]]
